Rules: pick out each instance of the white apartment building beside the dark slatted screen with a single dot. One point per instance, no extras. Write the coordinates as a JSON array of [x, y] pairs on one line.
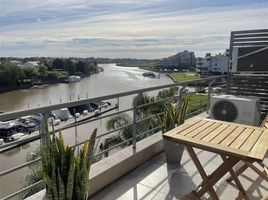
[[209, 65]]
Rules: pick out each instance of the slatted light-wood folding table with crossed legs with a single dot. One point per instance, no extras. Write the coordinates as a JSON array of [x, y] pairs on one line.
[[233, 142]]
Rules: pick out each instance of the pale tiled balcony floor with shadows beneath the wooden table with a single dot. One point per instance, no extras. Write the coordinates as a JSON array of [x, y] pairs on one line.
[[156, 180]]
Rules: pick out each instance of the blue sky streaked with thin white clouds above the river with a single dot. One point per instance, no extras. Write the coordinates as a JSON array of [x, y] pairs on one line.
[[124, 28]]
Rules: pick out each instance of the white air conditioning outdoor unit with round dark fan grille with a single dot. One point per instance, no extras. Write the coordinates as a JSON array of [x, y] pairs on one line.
[[238, 109]]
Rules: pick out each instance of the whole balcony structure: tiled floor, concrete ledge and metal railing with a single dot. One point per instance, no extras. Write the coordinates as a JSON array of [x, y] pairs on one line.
[[140, 171]]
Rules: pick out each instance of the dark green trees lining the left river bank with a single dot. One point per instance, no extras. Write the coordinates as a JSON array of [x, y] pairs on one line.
[[13, 75]]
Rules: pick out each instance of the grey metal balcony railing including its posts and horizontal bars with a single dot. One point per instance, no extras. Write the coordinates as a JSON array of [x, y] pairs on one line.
[[134, 108]]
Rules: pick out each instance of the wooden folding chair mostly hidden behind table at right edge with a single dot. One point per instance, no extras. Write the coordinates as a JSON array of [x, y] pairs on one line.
[[264, 173]]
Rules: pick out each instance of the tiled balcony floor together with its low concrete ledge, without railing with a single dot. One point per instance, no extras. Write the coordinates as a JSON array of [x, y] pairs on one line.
[[156, 180]]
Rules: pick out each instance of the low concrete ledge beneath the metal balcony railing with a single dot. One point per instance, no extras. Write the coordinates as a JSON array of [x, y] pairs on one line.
[[118, 164]]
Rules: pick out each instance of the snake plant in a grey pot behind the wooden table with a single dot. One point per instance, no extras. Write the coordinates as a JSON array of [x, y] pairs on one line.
[[172, 118]]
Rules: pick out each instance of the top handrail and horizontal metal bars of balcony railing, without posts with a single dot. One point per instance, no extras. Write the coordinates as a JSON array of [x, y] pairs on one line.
[[9, 115]]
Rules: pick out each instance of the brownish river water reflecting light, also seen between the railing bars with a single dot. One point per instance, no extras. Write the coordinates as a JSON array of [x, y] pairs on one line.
[[113, 80]]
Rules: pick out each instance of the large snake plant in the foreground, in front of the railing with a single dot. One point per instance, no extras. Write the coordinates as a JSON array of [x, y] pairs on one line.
[[65, 171]]
